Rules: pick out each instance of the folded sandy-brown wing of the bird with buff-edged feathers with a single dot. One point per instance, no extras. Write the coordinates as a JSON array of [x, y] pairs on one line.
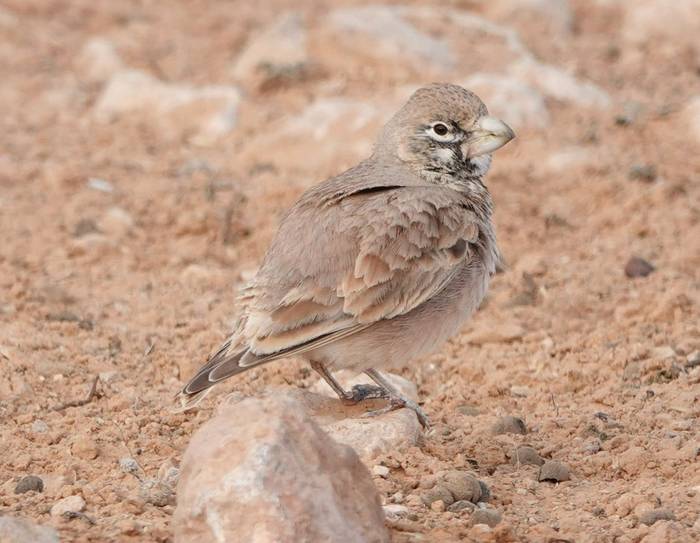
[[335, 270]]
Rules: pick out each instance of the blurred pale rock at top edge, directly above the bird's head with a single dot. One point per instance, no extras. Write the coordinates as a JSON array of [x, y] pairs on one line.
[[383, 31]]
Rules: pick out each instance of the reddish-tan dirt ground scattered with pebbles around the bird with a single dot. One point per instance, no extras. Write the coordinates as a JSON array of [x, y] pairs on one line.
[[123, 239]]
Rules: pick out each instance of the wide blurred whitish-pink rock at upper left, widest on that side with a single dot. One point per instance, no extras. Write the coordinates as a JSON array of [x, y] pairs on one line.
[[207, 112]]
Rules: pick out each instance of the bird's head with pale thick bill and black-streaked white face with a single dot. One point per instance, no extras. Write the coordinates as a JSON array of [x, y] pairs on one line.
[[444, 131]]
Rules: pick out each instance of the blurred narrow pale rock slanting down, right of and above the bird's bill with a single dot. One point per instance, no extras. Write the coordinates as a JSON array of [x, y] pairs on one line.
[[556, 83]]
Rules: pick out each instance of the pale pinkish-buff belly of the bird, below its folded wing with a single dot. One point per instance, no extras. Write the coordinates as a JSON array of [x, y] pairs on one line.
[[397, 342]]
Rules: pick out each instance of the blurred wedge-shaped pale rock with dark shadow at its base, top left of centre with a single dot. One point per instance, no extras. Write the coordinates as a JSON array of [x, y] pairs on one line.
[[281, 46]]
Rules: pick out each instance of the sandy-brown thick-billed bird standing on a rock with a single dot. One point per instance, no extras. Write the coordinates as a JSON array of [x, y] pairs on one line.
[[380, 265]]
